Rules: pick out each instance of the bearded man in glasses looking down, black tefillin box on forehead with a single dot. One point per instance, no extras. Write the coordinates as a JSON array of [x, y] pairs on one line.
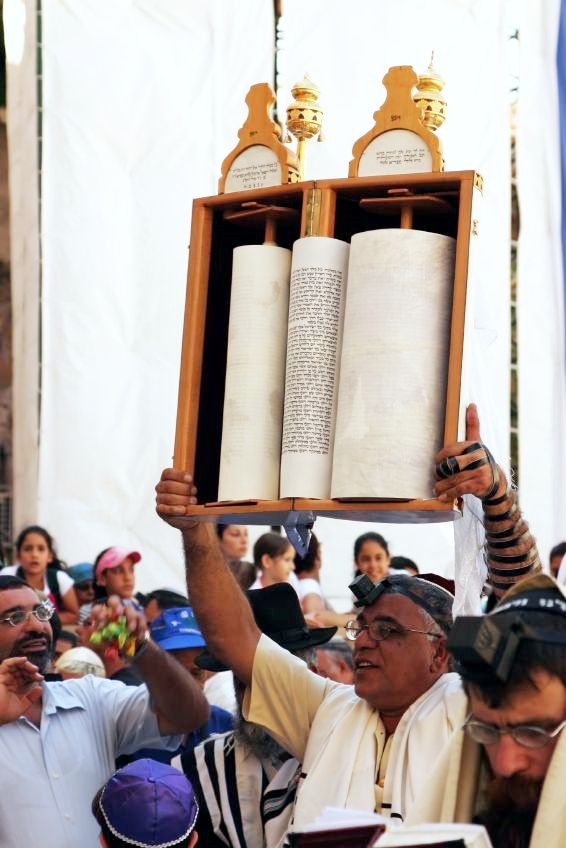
[[506, 768]]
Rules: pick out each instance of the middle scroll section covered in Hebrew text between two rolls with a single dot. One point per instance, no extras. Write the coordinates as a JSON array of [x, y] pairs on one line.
[[316, 310]]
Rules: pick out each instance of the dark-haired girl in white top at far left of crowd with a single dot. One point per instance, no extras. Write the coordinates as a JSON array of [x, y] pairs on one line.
[[38, 565]]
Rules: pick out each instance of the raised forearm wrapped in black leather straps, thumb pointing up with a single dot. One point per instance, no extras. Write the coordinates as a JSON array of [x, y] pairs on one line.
[[468, 468]]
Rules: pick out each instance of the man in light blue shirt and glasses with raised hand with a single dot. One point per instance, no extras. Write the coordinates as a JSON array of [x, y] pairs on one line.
[[58, 746]]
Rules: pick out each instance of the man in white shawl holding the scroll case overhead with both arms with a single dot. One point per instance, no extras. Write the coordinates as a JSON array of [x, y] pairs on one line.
[[374, 747]]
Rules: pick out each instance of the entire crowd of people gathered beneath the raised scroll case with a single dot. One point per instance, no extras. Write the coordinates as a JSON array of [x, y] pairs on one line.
[[240, 710]]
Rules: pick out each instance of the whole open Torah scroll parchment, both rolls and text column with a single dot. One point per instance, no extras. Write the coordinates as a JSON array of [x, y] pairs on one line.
[[337, 367]]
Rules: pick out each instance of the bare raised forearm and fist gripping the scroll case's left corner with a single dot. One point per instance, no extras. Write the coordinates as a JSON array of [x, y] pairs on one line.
[[221, 608]]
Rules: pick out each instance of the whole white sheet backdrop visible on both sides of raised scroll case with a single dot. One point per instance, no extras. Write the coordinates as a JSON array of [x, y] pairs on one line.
[[141, 103]]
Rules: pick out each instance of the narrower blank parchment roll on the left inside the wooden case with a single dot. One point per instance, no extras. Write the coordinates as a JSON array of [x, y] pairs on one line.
[[255, 374]]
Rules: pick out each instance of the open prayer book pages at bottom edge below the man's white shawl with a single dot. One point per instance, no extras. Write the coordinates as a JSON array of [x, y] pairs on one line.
[[356, 829]]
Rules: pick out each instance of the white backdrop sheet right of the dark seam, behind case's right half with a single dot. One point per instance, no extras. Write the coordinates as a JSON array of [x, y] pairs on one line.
[[346, 48]]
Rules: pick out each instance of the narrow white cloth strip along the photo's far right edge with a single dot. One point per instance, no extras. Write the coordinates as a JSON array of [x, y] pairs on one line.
[[540, 293]]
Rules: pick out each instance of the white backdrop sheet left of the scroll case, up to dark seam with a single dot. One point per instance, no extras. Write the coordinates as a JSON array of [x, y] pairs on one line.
[[141, 102]]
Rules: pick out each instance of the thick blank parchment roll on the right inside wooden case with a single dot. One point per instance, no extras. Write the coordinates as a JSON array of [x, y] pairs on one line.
[[394, 364]]
